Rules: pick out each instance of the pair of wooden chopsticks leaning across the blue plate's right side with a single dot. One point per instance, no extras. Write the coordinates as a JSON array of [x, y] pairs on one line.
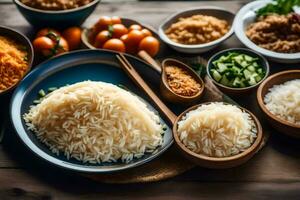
[[133, 74]]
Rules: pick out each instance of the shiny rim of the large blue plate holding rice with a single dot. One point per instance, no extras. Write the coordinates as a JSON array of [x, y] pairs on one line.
[[16, 118]]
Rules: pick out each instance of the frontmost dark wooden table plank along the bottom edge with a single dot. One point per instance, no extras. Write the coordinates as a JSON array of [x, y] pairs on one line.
[[17, 184]]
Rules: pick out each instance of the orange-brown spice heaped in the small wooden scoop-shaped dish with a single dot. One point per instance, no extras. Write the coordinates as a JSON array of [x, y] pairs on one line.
[[180, 82]]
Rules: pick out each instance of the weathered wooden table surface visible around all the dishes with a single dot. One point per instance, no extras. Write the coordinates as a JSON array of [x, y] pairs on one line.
[[274, 173]]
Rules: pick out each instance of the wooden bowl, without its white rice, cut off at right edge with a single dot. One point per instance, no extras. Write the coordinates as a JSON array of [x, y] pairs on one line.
[[277, 123]]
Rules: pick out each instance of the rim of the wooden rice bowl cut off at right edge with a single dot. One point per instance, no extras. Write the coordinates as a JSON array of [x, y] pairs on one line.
[[261, 101]]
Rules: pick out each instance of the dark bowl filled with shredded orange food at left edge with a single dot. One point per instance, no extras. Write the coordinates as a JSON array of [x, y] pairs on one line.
[[16, 57]]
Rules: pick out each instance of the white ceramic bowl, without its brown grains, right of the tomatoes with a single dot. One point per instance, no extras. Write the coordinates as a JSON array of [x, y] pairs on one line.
[[200, 48]]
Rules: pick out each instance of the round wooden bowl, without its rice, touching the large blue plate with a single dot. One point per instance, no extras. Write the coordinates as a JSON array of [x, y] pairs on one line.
[[214, 162]]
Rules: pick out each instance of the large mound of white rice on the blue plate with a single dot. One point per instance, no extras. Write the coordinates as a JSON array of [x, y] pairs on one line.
[[95, 122]]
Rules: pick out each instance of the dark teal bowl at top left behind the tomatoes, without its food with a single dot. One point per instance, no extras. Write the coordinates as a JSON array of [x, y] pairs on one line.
[[56, 19]]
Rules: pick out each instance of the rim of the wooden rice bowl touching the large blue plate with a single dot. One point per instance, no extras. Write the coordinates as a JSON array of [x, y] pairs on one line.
[[253, 148]]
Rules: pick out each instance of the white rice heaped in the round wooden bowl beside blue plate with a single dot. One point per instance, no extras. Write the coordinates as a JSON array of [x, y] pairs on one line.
[[217, 130]]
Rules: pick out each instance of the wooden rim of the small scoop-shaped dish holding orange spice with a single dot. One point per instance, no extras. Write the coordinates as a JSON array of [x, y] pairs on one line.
[[193, 73]]
